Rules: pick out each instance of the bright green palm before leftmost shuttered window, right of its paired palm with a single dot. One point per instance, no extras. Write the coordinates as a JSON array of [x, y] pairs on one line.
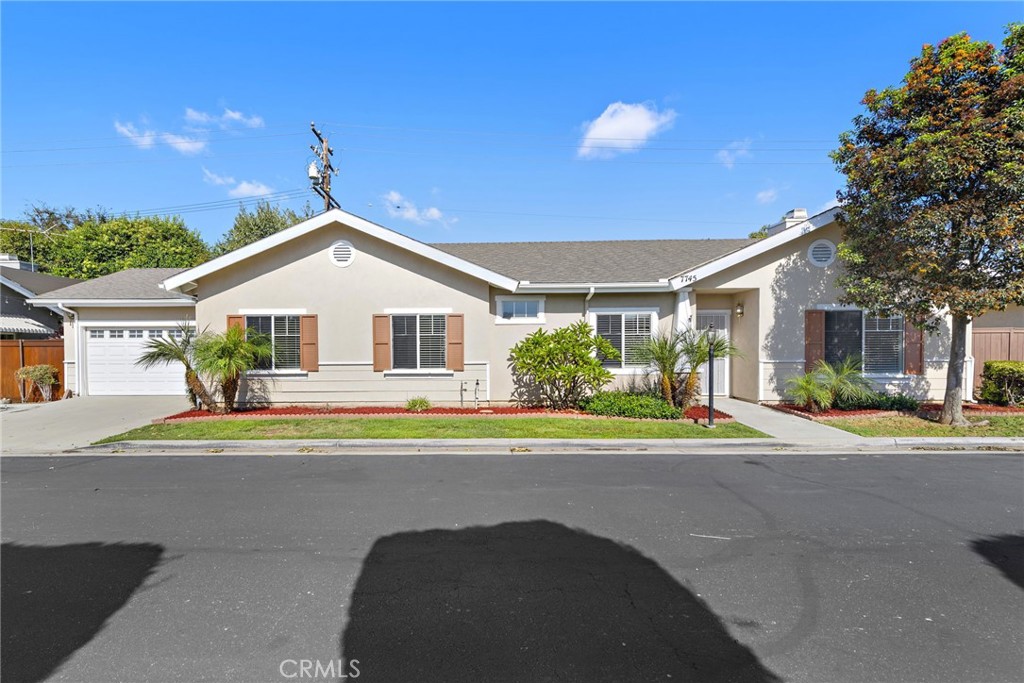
[[227, 356]]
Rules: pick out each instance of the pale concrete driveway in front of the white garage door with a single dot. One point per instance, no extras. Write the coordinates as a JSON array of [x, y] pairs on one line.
[[77, 422]]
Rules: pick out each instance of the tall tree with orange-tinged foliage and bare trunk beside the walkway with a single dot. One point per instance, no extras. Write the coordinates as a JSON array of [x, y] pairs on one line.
[[933, 208]]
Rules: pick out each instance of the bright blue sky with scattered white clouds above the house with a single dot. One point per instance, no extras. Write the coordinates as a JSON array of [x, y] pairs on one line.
[[454, 122]]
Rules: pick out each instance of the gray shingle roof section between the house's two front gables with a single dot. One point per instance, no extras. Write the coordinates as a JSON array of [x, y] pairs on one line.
[[608, 262]]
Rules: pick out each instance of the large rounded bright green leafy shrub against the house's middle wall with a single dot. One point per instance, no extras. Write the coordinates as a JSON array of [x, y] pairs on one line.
[[564, 366]]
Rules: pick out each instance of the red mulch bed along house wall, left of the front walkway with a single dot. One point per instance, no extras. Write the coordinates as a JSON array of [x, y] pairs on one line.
[[697, 413]]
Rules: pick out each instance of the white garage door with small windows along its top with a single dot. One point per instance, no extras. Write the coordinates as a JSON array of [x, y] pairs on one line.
[[111, 369]]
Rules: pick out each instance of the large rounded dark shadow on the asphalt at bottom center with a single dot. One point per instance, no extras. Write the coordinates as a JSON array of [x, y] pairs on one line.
[[532, 602]]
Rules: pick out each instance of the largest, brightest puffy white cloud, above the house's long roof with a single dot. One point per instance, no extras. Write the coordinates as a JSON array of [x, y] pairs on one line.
[[623, 129]]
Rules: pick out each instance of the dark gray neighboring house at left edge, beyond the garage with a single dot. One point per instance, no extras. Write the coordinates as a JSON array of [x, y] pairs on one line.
[[20, 282]]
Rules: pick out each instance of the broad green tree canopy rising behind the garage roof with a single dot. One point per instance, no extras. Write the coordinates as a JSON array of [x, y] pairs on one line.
[[98, 249]]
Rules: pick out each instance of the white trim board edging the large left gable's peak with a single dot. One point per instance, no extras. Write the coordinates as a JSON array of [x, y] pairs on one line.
[[349, 221]]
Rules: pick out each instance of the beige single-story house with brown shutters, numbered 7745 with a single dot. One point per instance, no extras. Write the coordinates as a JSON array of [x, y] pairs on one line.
[[363, 315]]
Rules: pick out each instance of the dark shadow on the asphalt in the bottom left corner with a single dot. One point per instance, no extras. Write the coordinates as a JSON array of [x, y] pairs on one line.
[[57, 599]]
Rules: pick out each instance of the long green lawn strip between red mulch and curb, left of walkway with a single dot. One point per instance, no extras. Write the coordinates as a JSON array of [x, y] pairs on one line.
[[433, 429]]
